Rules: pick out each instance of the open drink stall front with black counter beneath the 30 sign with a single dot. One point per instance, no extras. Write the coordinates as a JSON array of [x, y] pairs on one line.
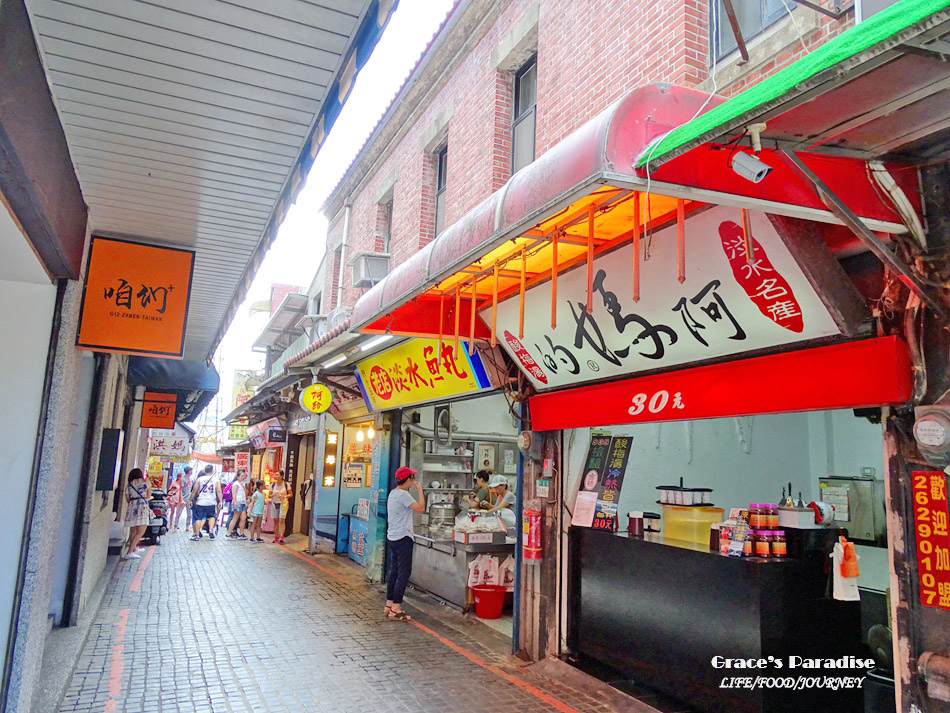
[[686, 601]]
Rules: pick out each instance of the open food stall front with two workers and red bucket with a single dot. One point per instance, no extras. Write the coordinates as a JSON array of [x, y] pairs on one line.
[[462, 543]]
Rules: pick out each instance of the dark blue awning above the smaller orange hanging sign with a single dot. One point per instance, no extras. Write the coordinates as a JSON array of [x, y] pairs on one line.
[[194, 382]]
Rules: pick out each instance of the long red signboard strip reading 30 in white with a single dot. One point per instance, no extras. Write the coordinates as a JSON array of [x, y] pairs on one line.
[[872, 372]]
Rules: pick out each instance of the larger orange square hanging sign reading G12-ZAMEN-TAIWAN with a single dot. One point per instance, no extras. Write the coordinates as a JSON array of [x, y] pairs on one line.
[[136, 298]]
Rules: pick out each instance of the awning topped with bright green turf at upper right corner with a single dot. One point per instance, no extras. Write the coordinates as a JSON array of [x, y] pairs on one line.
[[880, 89]]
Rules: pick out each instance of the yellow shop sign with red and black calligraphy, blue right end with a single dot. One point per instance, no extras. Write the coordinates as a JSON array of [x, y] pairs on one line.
[[418, 371]]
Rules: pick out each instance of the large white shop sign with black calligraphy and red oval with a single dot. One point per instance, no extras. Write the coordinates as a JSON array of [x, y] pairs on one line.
[[727, 305]]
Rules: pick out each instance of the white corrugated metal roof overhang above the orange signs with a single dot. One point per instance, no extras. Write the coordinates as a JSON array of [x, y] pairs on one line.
[[194, 123]]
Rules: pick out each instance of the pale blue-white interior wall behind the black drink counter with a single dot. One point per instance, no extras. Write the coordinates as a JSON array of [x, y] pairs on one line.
[[744, 460]]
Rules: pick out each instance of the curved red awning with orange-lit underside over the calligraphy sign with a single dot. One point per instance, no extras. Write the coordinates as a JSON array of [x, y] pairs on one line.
[[585, 197]]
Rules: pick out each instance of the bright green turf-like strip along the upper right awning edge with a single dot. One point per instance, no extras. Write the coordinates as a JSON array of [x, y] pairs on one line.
[[878, 28]]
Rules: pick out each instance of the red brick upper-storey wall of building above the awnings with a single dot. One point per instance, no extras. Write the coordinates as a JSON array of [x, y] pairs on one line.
[[590, 53]]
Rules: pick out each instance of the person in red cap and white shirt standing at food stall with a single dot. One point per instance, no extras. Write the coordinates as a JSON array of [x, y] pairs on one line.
[[400, 505]]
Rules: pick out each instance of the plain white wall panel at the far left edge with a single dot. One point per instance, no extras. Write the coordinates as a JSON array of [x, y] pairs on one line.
[[26, 313]]
